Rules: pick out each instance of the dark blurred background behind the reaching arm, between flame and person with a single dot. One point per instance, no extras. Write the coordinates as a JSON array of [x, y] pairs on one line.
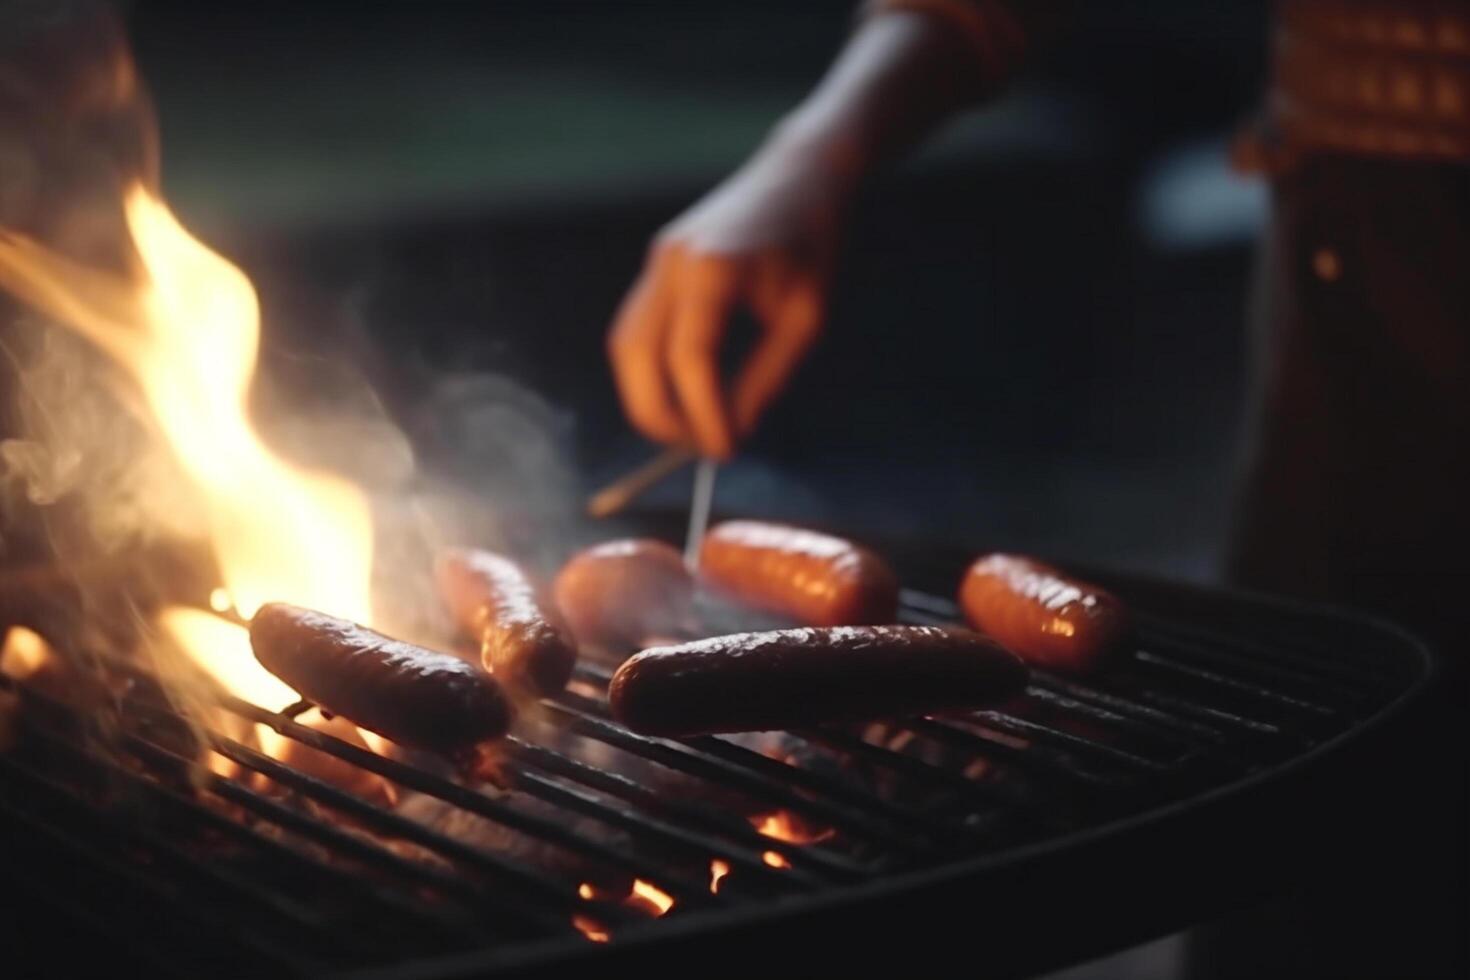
[[1037, 339]]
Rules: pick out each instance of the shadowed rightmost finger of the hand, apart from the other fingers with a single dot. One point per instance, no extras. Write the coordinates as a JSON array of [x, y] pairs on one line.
[[793, 321]]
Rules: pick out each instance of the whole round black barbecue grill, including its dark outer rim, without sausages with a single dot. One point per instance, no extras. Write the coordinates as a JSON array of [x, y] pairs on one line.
[[1086, 816]]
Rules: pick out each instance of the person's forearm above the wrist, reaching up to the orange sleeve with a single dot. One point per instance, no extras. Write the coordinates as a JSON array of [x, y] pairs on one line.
[[900, 76]]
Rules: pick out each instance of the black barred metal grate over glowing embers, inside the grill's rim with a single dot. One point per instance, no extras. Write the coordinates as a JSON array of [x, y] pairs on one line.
[[196, 871]]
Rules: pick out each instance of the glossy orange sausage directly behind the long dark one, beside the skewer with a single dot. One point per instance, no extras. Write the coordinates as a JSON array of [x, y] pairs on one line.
[[812, 578]]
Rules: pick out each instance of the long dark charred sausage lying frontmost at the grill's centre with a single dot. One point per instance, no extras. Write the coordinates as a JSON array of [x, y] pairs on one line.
[[797, 678]]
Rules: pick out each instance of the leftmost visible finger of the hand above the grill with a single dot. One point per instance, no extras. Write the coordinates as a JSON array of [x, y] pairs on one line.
[[636, 347]]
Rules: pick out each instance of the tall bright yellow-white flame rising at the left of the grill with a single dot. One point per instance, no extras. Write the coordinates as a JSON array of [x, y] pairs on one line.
[[187, 330]]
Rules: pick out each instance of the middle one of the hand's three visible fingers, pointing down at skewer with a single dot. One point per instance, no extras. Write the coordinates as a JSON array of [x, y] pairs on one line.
[[700, 317]]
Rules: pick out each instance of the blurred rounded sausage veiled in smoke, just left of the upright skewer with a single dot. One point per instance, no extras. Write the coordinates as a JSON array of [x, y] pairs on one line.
[[620, 593]]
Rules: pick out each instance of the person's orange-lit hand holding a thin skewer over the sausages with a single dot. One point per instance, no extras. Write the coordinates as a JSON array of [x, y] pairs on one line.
[[765, 239]]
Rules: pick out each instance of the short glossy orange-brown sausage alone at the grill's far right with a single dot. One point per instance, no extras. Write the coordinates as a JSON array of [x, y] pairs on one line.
[[1049, 619]]
